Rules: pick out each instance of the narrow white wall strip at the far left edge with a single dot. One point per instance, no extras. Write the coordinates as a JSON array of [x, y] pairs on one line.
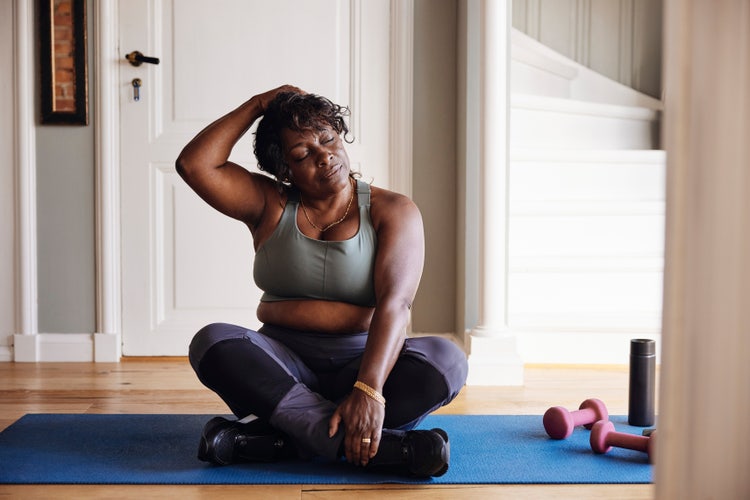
[[7, 180]]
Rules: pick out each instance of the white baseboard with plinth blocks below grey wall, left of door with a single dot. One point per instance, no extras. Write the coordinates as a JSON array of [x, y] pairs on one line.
[[67, 347]]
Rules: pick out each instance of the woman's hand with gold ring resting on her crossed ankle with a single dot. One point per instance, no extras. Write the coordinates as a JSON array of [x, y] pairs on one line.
[[362, 418]]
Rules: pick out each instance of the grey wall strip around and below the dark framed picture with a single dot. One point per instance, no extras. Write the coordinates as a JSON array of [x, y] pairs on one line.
[[66, 220]]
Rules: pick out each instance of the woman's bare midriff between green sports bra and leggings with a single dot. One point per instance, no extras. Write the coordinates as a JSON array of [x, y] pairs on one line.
[[317, 315]]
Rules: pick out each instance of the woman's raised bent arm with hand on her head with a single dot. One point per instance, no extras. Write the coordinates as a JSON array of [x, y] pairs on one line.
[[224, 185]]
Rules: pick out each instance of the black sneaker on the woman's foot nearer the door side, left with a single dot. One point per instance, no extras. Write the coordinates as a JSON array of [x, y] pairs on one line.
[[224, 442]]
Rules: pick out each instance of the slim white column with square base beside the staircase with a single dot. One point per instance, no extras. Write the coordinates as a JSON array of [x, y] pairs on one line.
[[493, 354]]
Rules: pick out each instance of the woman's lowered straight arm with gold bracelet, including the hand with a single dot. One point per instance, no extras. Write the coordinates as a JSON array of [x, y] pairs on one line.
[[398, 269]]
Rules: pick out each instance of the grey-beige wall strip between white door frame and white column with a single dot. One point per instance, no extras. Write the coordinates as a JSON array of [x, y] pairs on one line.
[[435, 162]]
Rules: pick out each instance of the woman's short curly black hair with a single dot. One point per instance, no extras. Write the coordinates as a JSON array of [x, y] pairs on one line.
[[297, 112]]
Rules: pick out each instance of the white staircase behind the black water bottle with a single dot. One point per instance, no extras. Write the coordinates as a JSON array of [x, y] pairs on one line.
[[587, 189]]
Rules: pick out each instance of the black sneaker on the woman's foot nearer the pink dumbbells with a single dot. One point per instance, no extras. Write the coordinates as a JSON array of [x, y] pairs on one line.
[[417, 453]]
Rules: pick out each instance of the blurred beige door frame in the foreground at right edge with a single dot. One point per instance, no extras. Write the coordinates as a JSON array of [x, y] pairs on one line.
[[702, 448]]
